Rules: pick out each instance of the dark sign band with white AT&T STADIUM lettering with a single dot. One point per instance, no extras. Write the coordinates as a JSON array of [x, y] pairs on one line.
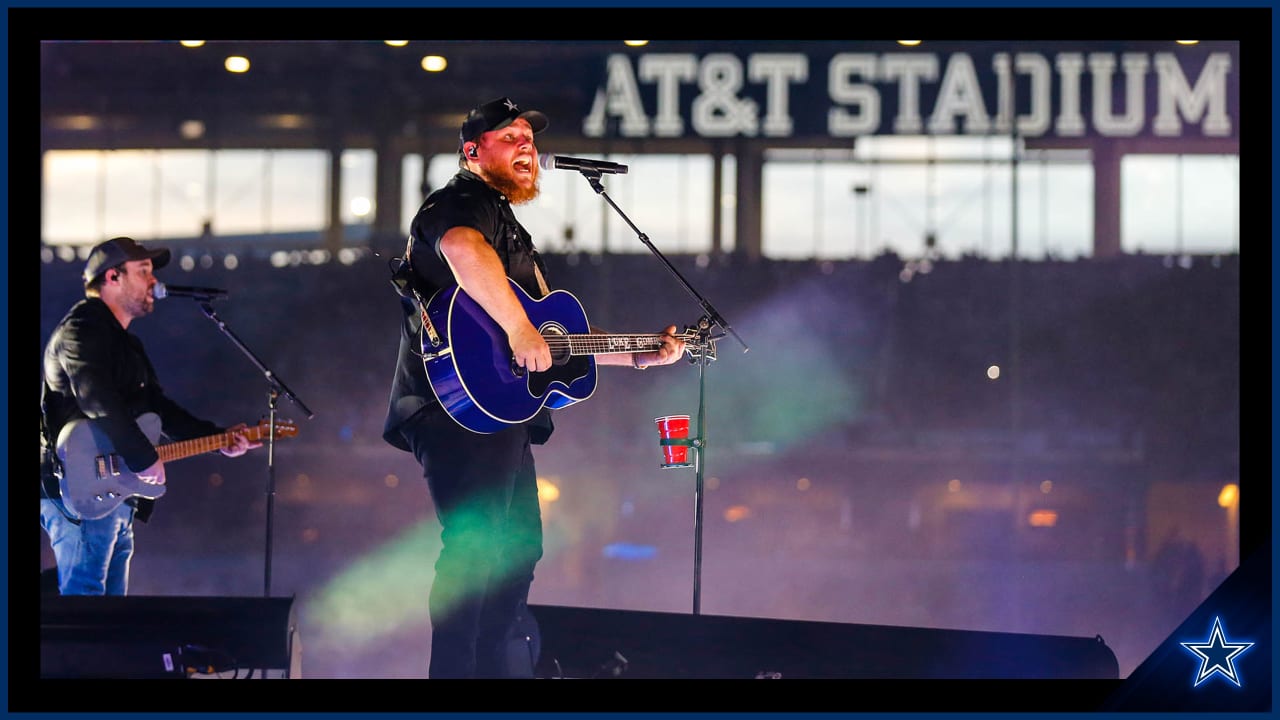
[[1064, 94]]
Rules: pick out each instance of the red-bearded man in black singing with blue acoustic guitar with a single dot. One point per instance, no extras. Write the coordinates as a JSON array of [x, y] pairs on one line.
[[472, 267]]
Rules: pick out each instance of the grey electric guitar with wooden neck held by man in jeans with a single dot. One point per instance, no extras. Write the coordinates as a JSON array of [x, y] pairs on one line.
[[95, 480]]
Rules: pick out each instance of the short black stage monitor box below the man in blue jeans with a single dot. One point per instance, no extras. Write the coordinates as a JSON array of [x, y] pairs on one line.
[[170, 637]]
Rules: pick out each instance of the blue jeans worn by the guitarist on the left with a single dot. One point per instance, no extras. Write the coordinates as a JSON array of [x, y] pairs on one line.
[[93, 557]]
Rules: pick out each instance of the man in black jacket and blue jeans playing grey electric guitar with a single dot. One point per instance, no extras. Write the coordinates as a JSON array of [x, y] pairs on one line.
[[99, 380]]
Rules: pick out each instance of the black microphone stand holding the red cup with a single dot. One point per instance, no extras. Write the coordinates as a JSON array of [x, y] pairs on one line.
[[703, 354]]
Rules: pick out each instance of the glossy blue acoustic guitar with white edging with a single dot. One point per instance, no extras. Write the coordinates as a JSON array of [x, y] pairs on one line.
[[476, 377]]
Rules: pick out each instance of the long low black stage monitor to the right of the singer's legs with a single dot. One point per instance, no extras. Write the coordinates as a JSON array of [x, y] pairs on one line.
[[580, 642]]
